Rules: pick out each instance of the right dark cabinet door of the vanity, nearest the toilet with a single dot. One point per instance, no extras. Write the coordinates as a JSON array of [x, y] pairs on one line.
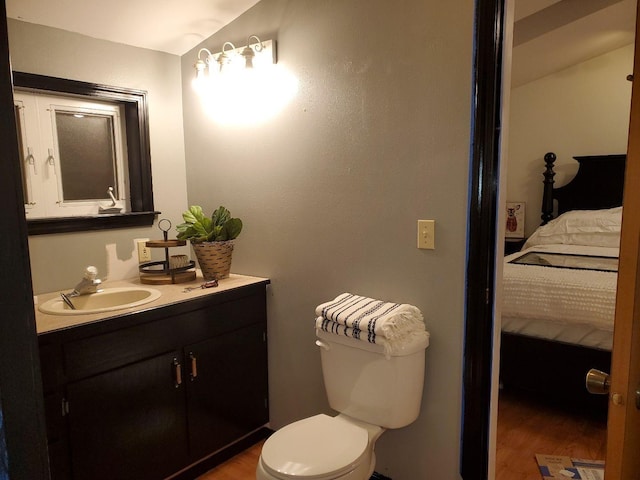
[[227, 397]]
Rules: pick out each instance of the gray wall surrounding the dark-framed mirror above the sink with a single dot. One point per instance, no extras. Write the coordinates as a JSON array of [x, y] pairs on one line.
[[58, 261]]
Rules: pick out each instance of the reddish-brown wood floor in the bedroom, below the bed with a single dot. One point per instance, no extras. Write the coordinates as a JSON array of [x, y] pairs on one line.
[[526, 428]]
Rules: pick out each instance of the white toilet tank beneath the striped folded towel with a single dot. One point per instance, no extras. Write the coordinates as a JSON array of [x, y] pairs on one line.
[[362, 383]]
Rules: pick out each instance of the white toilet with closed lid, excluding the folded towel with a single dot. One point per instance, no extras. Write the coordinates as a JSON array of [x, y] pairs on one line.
[[372, 390]]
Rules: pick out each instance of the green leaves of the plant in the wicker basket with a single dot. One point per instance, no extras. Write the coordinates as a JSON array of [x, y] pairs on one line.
[[198, 227]]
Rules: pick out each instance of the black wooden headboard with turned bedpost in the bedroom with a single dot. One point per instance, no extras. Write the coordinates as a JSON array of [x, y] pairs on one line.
[[598, 184]]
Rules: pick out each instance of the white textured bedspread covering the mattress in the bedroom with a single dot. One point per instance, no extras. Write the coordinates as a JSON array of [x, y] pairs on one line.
[[565, 305]]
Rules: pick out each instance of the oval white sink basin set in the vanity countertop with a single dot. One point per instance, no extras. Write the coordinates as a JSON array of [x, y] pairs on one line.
[[105, 301]]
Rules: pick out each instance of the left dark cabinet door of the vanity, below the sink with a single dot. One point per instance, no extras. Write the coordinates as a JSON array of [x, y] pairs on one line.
[[128, 423]]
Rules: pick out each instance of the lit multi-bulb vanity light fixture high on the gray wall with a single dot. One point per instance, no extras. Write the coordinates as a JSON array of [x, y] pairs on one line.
[[258, 52]]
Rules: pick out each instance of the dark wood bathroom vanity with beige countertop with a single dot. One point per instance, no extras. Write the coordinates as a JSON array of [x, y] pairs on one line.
[[168, 389]]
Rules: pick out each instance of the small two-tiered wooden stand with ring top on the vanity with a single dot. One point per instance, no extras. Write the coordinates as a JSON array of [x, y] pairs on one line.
[[161, 272]]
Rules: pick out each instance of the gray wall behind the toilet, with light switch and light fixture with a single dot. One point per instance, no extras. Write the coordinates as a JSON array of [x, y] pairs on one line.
[[330, 191]]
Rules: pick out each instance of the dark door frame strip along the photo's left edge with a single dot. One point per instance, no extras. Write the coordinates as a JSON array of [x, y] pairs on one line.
[[22, 427]]
